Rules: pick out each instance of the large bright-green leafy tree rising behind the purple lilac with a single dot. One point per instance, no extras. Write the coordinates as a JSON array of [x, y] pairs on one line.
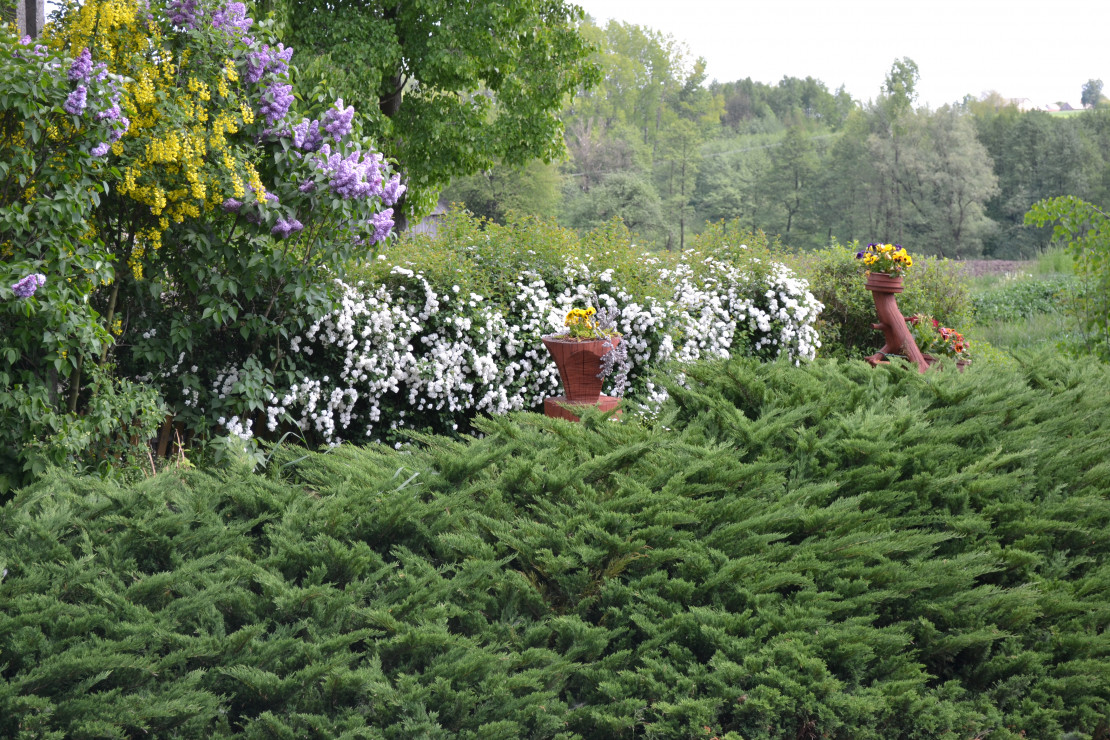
[[450, 88]]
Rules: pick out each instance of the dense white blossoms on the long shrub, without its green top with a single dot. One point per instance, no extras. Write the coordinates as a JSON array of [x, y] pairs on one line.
[[408, 356]]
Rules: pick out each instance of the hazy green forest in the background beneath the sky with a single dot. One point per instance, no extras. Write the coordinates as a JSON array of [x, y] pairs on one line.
[[657, 146]]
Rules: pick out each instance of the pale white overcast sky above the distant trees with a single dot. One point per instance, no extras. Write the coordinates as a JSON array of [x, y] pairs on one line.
[[1044, 50]]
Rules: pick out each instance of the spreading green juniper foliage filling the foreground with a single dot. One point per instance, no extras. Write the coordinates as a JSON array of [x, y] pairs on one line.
[[818, 552]]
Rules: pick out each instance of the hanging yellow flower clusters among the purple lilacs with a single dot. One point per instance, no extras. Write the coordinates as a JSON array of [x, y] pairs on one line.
[[178, 157]]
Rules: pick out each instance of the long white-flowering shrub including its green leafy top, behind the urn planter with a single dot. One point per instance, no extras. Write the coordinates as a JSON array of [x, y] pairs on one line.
[[436, 332]]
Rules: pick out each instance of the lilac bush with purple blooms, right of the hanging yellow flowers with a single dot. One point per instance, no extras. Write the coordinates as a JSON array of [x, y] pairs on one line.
[[263, 266]]
